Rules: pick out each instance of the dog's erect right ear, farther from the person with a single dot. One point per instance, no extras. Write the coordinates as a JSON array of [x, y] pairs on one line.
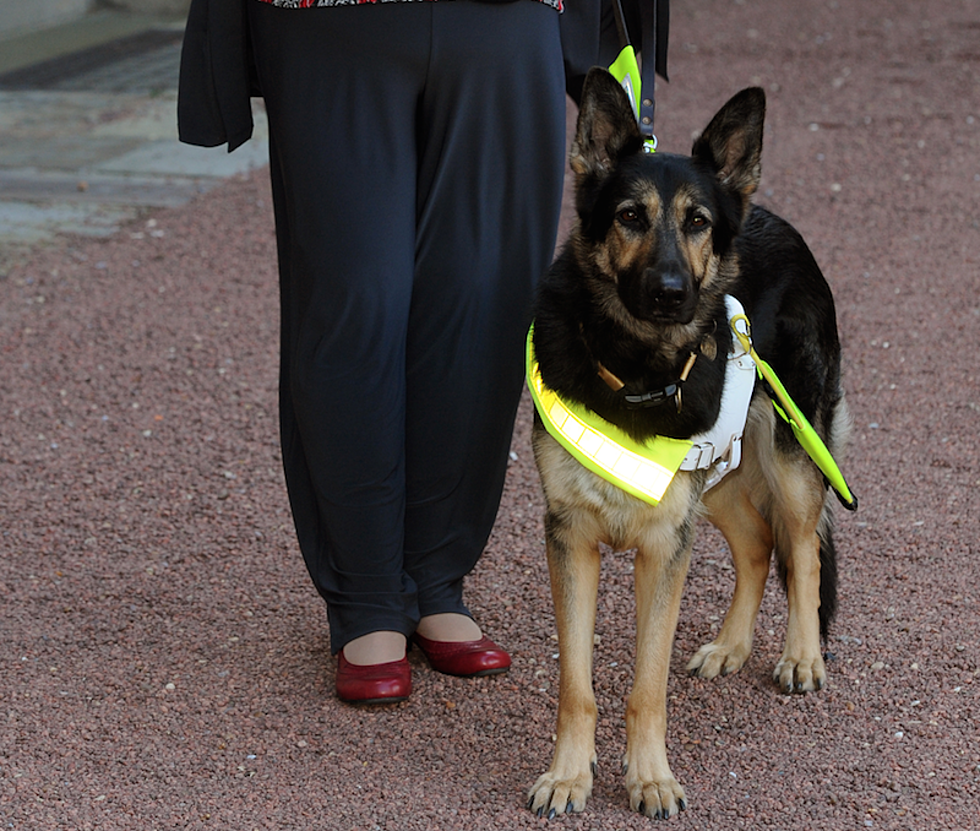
[[732, 143]]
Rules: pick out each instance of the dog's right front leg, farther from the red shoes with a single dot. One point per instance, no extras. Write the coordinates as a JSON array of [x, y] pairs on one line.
[[652, 788]]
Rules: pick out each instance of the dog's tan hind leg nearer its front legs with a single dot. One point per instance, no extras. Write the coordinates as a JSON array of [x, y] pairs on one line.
[[749, 536]]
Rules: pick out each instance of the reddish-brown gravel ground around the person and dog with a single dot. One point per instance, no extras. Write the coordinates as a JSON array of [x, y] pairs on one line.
[[164, 658]]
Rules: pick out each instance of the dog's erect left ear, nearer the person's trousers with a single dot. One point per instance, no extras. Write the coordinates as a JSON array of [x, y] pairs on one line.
[[606, 130]]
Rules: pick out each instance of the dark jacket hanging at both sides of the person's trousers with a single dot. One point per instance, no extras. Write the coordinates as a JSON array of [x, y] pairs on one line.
[[217, 76]]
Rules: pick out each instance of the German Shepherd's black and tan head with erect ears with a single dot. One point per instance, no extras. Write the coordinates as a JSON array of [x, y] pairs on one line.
[[657, 229]]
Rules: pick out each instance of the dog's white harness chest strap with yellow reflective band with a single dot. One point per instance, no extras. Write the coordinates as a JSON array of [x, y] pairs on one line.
[[646, 469]]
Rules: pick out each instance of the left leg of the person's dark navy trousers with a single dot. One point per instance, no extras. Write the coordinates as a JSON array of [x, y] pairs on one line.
[[341, 97]]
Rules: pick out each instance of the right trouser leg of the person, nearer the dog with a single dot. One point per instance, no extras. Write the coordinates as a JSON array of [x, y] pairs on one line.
[[491, 162]]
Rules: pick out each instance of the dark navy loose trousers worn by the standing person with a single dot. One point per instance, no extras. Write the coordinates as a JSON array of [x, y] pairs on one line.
[[417, 155]]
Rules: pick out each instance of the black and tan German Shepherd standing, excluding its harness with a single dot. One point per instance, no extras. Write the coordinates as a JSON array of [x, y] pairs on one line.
[[661, 239]]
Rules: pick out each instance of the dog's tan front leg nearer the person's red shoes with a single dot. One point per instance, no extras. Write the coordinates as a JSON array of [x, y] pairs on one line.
[[574, 566]]
